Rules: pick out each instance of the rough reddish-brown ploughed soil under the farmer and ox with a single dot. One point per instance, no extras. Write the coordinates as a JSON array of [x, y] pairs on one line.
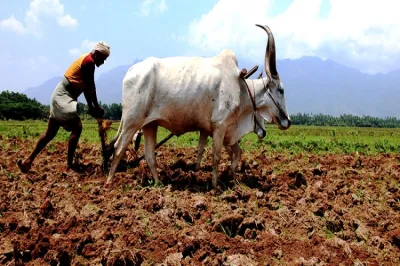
[[279, 209]]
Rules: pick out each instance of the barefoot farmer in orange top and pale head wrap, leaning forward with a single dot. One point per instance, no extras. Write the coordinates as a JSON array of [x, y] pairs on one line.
[[78, 78]]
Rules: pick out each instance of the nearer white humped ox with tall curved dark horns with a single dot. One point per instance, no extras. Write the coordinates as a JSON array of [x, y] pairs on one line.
[[186, 94]]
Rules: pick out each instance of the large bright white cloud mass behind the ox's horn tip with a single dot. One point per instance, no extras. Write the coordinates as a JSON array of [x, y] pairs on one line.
[[359, 33]]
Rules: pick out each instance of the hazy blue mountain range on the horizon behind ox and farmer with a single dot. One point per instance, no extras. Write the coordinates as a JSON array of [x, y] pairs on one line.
[[311, 86]]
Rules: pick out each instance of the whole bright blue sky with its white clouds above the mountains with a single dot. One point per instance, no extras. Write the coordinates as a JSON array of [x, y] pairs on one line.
[[40, 38]]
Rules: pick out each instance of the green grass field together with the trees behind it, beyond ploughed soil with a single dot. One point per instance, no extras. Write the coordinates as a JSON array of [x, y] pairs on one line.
[[309, 133]]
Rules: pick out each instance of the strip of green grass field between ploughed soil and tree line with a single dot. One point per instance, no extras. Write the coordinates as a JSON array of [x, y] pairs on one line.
[[318, 139]]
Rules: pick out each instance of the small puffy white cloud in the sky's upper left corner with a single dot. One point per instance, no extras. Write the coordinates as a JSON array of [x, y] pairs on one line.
[[37, 10]]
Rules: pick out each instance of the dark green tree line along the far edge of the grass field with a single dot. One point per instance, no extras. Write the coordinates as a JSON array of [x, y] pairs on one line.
[[17, 106]]
